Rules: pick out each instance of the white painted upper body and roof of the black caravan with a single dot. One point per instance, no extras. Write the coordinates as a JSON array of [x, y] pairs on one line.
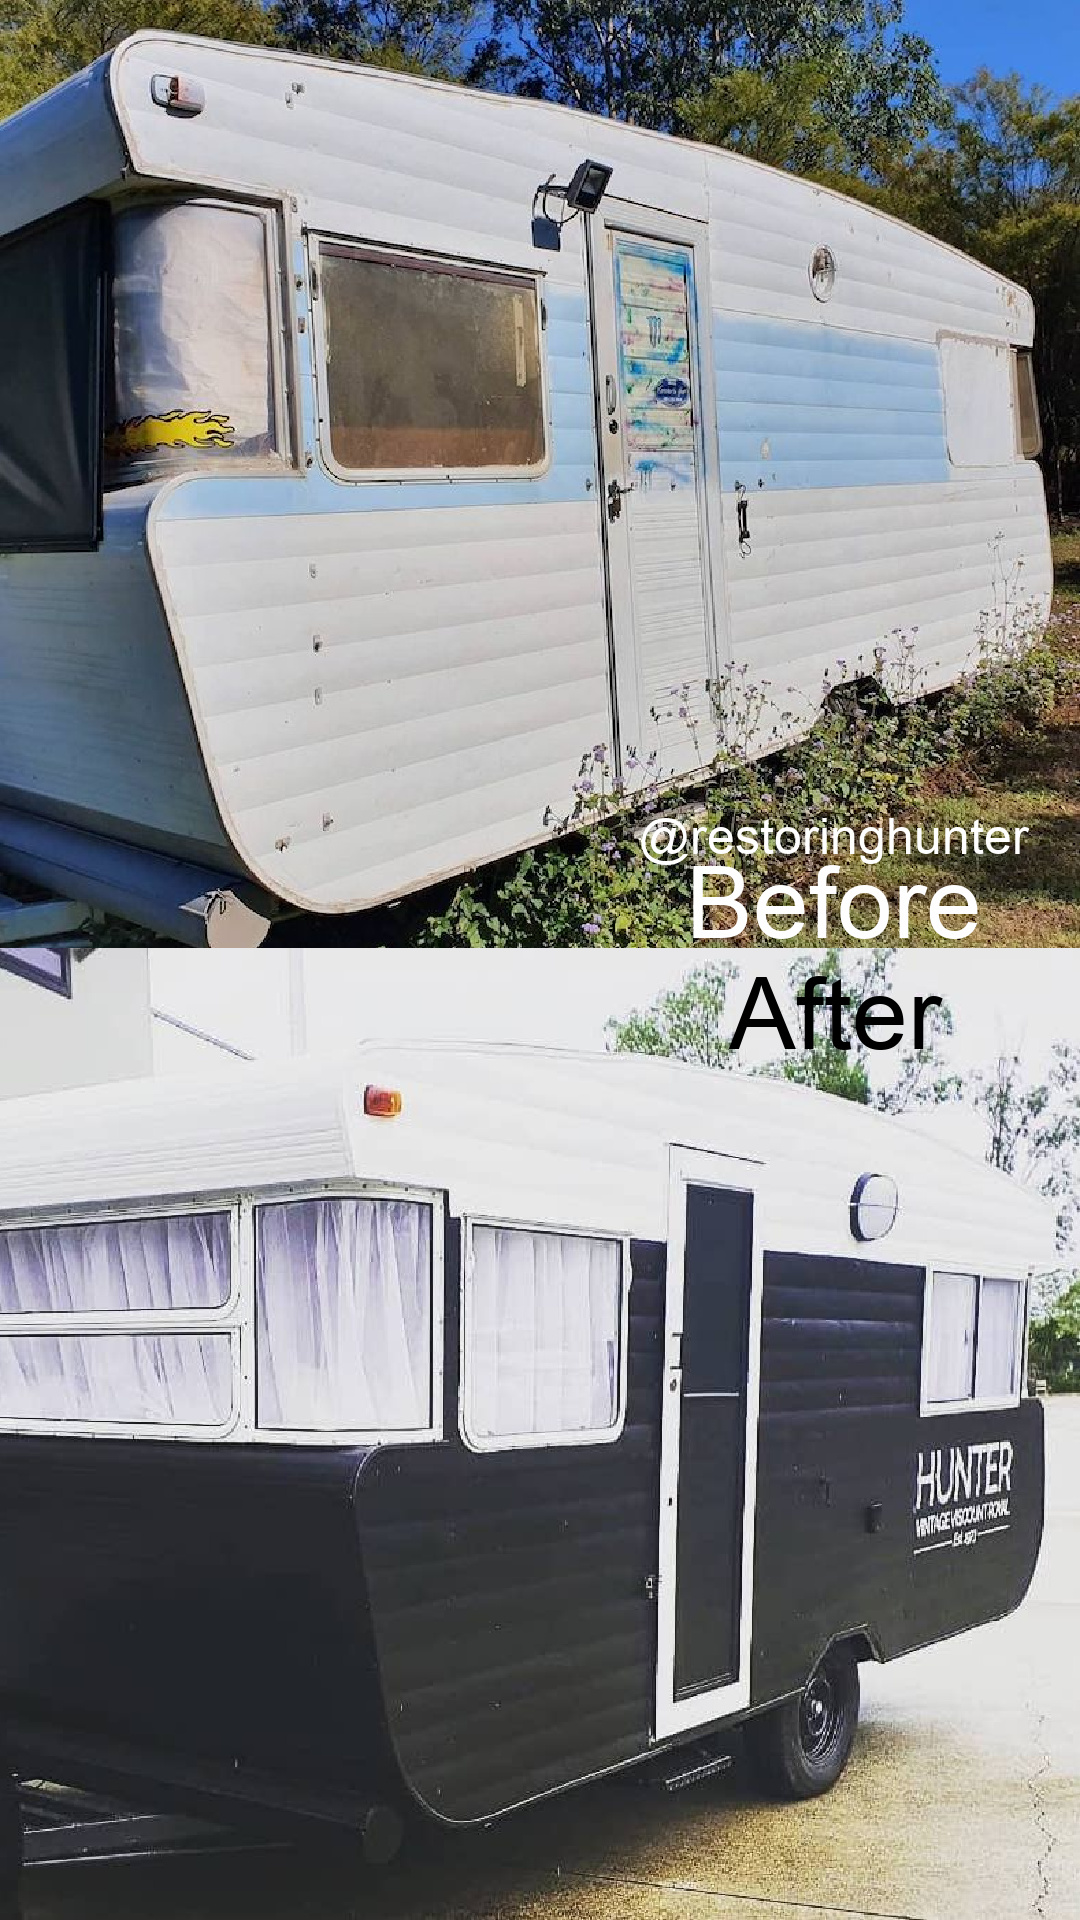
[[520, 1134]]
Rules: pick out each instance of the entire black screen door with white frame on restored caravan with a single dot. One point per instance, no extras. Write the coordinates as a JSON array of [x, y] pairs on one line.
[[708, 1441]]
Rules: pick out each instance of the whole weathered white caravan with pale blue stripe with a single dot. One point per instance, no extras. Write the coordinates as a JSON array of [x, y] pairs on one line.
[[370, 460]]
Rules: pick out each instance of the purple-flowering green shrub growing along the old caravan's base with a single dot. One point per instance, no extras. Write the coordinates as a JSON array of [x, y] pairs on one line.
[[868, 752]]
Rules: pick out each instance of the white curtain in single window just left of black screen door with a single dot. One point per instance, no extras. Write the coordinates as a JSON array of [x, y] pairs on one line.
[[543, 1333]]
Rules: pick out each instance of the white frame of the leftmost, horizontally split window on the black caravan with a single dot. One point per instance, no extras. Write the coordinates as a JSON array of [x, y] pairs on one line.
[[224, 1320]]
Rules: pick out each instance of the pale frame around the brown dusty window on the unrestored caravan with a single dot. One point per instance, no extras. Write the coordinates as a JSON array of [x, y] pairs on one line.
[[462, 268]]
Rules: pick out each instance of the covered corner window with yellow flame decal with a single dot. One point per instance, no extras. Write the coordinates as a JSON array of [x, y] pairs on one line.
[[191, 370]]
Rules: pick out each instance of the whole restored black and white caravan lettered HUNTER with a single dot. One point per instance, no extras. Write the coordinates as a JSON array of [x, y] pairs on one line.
[[453, 1426]]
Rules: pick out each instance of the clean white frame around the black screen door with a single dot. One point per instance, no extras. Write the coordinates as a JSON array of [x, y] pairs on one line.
[[700, 1168]]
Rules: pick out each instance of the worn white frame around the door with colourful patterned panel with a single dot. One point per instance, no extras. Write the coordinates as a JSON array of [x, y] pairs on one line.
[[645, 224]]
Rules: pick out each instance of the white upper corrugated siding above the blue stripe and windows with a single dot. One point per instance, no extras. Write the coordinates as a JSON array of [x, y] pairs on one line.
[[422, 158]]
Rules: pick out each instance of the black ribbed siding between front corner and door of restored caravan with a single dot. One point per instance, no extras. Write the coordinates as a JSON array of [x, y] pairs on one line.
[[514, 1633]]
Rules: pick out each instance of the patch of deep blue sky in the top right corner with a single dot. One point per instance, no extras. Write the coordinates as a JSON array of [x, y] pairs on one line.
[[1041, 41]]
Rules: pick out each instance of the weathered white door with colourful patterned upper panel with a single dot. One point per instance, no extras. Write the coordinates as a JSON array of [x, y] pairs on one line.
[[658, 468]]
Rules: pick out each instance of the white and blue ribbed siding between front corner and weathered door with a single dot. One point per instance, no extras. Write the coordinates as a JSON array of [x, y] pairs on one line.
[[389, 692]]
